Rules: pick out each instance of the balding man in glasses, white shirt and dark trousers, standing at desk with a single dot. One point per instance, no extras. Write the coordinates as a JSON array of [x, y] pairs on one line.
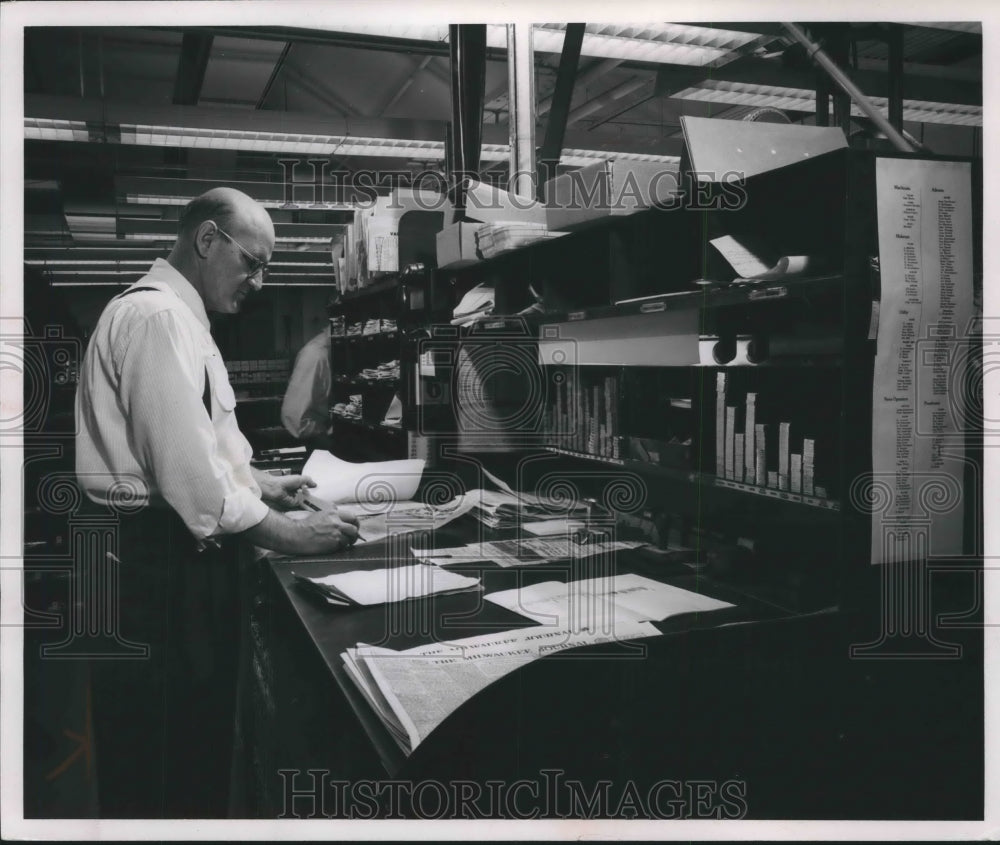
[[156, 430]]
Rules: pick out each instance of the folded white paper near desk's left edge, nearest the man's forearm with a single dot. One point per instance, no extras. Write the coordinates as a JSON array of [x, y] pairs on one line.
[[384, 586]]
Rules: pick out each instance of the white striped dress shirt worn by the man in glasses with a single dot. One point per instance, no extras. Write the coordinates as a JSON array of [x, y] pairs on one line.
[[142, 427]]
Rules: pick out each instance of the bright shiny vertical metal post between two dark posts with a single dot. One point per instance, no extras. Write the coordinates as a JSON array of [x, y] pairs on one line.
[[521, 96]]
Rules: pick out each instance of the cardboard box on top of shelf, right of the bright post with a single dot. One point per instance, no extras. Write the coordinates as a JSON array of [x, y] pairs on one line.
[[610, 188]]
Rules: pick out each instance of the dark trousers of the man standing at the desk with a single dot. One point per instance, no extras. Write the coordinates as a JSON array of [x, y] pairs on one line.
[[164, 724]]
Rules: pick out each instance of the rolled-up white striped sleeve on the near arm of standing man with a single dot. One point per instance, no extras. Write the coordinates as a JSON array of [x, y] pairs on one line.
[[161, 377]]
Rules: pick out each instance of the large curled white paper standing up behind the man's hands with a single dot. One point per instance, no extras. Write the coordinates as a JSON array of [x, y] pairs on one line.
[[375, 481]]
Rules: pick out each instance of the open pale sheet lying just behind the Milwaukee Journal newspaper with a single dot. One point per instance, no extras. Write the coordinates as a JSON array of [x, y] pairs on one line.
[[597, 601]]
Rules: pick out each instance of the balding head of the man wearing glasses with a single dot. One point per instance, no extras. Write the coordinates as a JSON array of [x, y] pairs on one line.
[[223, 239]]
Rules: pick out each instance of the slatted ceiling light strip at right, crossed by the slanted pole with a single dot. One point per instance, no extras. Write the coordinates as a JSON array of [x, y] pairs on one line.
[[801, 99]]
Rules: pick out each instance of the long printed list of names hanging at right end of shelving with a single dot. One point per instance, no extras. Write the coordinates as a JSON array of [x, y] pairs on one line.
[[925, 255]]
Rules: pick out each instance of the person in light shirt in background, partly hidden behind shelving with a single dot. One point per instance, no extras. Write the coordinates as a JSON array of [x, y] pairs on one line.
[[305, 410]]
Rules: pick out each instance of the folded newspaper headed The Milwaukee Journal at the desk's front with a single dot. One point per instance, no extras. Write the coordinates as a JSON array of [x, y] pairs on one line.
[[413, 691]]
